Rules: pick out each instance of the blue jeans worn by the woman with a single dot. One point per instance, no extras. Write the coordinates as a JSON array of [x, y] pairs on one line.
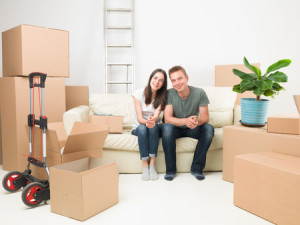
[[148, 140]]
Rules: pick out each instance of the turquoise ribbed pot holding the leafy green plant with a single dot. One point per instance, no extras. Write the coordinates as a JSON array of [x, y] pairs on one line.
[[254, 112]]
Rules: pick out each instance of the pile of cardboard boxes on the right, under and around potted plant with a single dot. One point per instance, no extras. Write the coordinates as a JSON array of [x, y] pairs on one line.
[[267, 179]]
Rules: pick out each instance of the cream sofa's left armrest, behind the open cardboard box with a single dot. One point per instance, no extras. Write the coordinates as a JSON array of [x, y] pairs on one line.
[[80, 114]]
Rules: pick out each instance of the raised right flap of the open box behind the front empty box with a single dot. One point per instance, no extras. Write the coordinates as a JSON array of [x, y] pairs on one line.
[[85, 137]]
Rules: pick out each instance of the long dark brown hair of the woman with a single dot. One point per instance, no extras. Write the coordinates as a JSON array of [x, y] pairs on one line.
[[161, 94]]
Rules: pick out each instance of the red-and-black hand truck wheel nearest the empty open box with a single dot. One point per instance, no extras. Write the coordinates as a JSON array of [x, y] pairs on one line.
[[27, 194]]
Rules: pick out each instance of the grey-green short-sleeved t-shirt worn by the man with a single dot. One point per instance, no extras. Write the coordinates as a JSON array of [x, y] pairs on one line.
[[189, 106]]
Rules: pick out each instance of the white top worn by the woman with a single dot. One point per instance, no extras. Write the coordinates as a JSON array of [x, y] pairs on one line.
[[147, 110]]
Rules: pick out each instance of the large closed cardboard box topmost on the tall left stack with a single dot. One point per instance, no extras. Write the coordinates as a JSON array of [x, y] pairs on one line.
[[27, 49]]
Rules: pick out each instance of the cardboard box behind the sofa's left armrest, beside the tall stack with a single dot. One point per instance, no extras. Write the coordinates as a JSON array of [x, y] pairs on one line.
[[76, 96]]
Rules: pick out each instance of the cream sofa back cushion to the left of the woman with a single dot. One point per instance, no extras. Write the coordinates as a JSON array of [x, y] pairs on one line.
[[115, 104]]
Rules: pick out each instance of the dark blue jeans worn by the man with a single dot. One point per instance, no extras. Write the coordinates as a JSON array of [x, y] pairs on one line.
[[204, 134]]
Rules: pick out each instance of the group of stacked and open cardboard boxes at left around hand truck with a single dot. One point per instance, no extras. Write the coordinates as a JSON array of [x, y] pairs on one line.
[[82, 183]]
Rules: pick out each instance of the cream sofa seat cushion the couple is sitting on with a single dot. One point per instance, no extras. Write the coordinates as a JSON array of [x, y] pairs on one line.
[[128, 142]]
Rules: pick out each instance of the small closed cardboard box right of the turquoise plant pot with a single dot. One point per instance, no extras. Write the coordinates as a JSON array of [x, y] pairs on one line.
[[284, 124]]
